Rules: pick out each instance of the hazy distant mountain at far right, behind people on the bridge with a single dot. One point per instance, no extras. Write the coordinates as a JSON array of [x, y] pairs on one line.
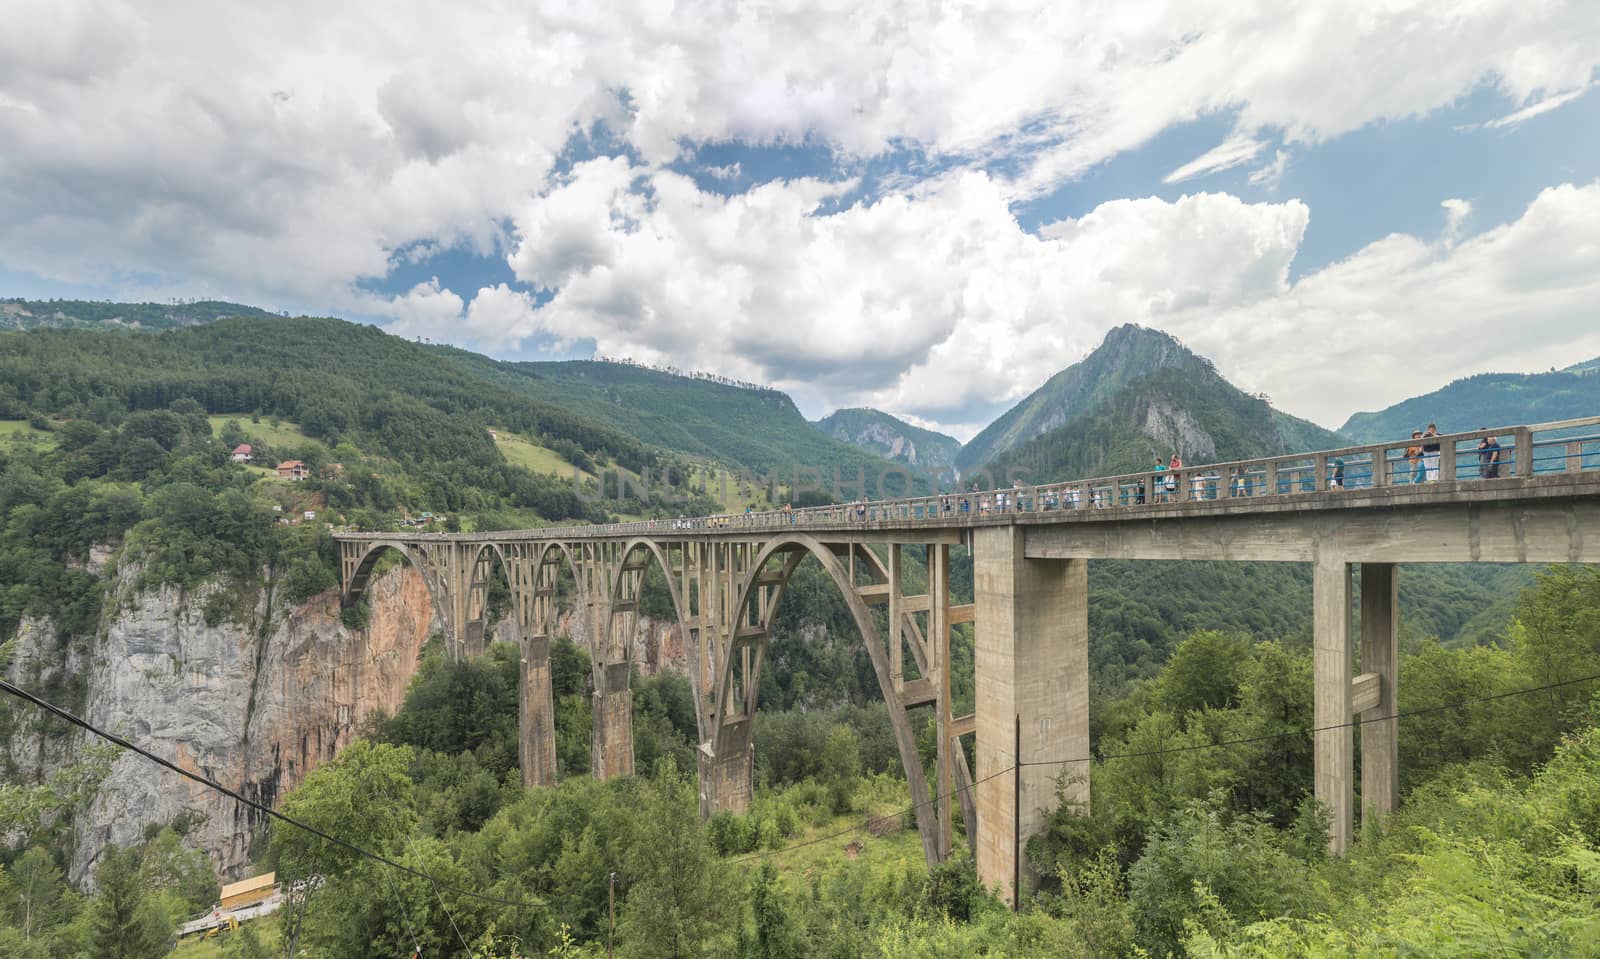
[[1490, 399]]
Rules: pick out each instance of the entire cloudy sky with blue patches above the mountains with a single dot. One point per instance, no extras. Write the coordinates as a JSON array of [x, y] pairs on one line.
[[921, 207]]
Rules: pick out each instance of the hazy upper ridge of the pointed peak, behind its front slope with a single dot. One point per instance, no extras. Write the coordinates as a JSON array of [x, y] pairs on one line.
[[1127, 355]]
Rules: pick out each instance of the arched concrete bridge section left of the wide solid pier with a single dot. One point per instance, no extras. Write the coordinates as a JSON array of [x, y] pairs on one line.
[[726, 593]]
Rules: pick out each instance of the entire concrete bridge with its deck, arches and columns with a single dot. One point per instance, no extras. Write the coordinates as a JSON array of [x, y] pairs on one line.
[[1364, 508]]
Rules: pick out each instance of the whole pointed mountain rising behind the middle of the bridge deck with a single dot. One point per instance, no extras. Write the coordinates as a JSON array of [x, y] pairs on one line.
[[1142, 395]]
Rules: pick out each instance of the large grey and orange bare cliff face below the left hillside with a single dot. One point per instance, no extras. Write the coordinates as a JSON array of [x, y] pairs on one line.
[[255, 705]]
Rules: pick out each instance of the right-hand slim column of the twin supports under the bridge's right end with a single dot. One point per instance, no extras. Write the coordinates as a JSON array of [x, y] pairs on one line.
[[1382, 656]]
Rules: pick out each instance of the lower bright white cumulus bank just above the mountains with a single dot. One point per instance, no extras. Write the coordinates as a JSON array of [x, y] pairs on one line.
[[945, 310]]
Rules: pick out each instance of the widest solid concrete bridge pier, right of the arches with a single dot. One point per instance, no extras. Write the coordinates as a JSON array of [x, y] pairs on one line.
[[1031, 664]]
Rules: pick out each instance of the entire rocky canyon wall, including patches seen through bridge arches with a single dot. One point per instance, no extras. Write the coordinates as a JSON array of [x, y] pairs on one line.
[[254, 702]]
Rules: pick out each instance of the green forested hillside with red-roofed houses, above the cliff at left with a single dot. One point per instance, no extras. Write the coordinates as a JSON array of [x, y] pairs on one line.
[[132, 433]]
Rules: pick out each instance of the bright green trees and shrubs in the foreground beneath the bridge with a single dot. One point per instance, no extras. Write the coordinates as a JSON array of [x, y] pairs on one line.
[[1201, 840]]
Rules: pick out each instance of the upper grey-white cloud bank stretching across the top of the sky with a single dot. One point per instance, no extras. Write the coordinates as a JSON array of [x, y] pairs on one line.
[[289, 151]]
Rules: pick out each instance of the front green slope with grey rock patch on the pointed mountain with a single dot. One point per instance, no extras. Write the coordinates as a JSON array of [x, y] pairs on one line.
[[1182, 406]]
